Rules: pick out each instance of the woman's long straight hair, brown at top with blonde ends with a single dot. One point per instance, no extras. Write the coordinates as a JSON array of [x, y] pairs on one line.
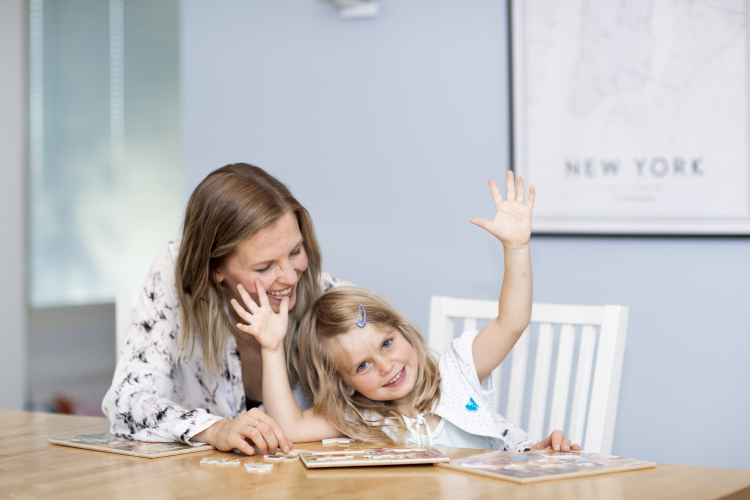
[[229, 206]]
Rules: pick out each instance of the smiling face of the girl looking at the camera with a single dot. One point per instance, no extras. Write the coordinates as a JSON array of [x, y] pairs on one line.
[[379, 363]]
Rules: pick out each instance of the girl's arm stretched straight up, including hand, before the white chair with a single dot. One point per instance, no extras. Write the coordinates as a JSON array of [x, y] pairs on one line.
[[512, 226]]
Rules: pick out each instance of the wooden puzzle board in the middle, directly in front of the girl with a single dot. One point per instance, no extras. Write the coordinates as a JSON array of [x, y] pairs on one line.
[[369, 457]]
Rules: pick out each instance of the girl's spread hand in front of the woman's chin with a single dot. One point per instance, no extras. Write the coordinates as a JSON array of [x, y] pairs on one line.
[[265, 325]]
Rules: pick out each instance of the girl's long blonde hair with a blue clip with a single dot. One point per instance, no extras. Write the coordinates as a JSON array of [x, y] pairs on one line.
[[334, 314]]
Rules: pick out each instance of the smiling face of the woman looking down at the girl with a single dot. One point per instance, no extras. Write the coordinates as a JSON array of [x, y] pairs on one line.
[[275, 256]]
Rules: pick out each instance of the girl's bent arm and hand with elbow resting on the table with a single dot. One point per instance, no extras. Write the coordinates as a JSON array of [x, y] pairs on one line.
[[269, 329]]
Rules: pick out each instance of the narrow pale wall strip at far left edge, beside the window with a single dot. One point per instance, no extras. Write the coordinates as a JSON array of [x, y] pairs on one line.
[[13, 113]]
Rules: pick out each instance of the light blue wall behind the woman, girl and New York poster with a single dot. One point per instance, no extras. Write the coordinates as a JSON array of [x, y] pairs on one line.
[[388, 129]]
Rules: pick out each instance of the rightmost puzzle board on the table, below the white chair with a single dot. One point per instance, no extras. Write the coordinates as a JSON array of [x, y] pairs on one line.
[[544, 465]]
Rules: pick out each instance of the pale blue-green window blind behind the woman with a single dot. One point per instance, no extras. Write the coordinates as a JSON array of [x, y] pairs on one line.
[[105, 174]]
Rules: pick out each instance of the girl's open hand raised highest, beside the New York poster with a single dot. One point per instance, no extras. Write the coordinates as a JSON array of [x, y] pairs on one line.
[[512, 222]]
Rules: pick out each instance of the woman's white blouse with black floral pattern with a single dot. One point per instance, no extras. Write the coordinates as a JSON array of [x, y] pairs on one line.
[[151, 397]]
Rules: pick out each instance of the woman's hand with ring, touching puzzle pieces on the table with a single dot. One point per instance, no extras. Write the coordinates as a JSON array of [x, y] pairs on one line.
[[254, 427]]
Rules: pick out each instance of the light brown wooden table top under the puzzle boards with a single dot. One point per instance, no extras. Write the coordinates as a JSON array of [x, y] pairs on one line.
[[31, 468]]
